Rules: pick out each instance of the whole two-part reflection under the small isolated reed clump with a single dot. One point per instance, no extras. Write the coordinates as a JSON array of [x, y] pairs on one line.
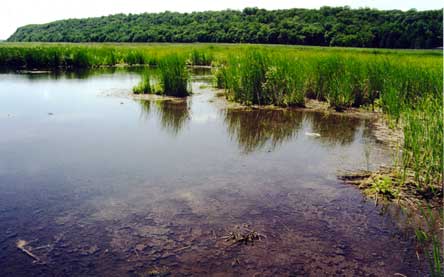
[[172, 114]]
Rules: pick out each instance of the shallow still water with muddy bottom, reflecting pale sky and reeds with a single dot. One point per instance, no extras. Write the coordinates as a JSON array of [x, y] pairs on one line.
[[111, 186]]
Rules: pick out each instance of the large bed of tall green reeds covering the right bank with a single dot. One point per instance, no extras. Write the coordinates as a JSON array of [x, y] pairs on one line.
[[406, 88]]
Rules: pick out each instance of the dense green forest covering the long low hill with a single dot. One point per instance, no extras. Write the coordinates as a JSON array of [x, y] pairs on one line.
[[326, 26]]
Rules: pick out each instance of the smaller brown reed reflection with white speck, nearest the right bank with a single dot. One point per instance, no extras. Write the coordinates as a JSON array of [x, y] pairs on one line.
[[334, 129]]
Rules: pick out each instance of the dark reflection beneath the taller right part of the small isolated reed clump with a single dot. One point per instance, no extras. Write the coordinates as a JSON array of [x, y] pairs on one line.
[[173, 115]]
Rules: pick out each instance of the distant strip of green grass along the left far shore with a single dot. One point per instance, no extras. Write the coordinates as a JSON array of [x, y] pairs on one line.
[[65, 55]]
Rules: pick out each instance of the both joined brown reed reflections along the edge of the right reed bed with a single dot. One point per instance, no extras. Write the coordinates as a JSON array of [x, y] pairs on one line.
[[257, 129]]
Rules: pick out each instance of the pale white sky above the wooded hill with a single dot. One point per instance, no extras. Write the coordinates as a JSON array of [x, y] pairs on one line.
[[16, 13]]
